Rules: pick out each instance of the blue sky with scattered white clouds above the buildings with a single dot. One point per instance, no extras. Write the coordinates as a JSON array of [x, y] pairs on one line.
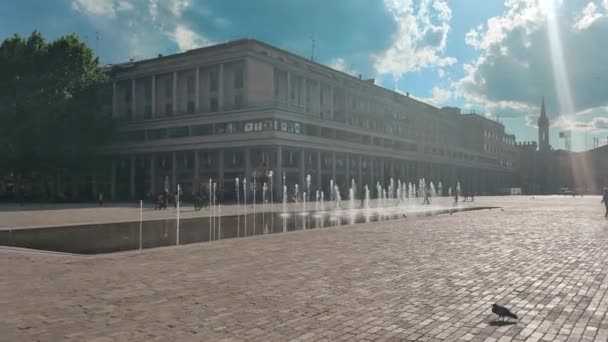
[[492, 57]]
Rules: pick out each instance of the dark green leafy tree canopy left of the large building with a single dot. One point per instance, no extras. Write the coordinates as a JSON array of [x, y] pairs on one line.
[[54, 101]]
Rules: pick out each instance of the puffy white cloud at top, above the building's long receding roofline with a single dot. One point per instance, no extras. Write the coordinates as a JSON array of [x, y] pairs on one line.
[[420, 39]]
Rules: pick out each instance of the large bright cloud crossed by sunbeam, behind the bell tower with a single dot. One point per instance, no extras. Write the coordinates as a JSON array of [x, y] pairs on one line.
[[515, 66]]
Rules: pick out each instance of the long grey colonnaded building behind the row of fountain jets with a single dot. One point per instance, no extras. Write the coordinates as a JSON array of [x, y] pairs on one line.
[[244, 108]]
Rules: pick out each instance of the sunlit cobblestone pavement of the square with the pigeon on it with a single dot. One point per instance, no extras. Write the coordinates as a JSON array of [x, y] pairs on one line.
[[426, 279]]
